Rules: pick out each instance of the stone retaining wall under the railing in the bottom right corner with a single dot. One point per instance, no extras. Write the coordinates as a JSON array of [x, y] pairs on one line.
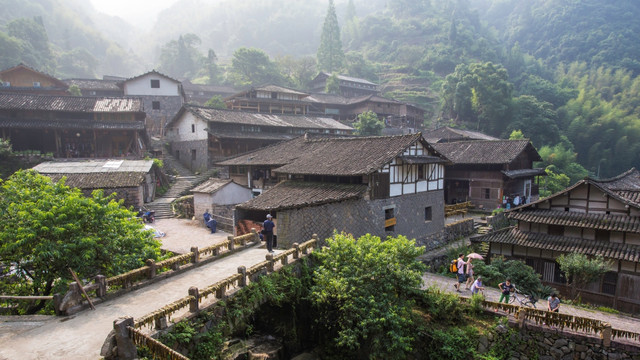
[[552, 344]]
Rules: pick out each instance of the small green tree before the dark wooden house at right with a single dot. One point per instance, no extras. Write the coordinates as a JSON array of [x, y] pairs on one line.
[[580, 270]]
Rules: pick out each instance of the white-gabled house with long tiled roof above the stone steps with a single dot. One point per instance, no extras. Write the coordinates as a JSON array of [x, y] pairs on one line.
[[200, 136]]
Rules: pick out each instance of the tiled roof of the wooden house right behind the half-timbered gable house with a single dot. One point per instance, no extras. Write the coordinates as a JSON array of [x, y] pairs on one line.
[[485, 151]]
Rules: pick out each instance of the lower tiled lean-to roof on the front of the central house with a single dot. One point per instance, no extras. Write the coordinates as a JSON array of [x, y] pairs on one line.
[[293, 195]]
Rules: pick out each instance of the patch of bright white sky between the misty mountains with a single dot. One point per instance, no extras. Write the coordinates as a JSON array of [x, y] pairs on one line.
[[132, 9]]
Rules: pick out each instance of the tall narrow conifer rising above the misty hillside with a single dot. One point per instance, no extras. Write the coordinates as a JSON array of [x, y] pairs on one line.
[[330, 54]]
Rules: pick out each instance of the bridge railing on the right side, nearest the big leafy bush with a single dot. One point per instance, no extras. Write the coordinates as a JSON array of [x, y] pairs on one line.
[[220, 289]]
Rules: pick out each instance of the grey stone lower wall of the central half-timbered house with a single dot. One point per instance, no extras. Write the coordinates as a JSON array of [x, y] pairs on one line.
[[360, 217]]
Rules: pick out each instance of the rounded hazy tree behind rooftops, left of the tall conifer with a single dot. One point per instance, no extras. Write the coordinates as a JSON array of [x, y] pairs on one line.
[[251, 67]]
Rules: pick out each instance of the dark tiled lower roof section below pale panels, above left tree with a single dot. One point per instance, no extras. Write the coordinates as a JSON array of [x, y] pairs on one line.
[[100, 180]]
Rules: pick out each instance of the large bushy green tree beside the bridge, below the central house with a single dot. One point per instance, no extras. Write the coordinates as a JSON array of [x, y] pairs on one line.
[[363, 292]]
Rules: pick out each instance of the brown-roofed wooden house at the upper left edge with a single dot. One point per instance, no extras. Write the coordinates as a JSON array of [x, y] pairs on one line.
[[25, 80]]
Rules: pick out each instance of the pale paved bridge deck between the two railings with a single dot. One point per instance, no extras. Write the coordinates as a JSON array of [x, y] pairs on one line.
[[81, 336]]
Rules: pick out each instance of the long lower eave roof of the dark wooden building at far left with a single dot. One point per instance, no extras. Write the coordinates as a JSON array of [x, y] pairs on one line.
[[82, 124]]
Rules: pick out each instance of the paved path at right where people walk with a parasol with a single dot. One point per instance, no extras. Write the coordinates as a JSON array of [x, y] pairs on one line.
[[621, 322]]
